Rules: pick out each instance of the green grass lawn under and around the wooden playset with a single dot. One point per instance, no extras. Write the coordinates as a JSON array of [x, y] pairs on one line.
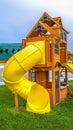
[[60, 117]]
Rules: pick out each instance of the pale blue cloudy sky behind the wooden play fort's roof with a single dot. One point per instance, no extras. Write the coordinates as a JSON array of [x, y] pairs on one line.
[[17, 17]]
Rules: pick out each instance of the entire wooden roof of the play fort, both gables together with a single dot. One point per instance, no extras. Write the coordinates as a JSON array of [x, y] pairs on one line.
[[44, 25]]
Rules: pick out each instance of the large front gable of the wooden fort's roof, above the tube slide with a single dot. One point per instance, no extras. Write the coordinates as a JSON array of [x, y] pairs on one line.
[[43, 24]]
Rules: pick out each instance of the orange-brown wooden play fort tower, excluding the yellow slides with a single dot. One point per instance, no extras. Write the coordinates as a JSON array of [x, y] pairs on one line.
[[49, 73]]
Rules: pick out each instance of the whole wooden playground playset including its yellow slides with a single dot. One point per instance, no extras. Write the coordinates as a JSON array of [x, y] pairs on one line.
[[44, 56]]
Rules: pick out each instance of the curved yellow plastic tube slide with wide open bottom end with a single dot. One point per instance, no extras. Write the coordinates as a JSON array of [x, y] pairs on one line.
[[37, 97]]
